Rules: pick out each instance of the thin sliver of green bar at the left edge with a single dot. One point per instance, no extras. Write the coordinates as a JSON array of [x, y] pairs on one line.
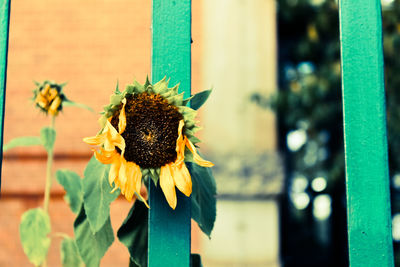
[[4, 27]]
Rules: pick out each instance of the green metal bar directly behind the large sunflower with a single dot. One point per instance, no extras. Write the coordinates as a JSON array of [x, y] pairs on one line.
[[169, 230]]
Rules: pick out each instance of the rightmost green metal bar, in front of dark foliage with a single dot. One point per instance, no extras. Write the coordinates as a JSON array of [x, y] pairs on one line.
[[367, 181]]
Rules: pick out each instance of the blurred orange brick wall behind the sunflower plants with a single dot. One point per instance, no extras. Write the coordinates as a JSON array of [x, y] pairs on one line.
[[89, 44]]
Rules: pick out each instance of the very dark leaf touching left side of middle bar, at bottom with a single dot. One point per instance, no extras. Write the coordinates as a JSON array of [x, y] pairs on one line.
[[133, 233]]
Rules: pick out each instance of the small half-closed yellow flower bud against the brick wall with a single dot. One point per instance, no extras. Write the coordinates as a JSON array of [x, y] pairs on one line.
[[48, 97]]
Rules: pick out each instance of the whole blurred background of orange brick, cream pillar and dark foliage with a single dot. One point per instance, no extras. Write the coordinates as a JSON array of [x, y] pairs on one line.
[[272, 126]]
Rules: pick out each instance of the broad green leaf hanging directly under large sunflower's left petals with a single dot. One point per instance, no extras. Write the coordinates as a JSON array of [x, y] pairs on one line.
[[97, 194]]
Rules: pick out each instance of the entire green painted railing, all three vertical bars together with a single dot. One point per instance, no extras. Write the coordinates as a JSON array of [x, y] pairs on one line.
[[369, 217]]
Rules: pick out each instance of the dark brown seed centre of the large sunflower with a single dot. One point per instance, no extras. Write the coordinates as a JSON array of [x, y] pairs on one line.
[[151, 130]]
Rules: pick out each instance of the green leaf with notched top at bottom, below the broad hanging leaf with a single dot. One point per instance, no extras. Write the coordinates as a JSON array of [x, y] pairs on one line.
[[92, 246]]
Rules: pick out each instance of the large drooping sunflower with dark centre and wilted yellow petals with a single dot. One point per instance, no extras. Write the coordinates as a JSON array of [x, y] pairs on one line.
[[148, 131]]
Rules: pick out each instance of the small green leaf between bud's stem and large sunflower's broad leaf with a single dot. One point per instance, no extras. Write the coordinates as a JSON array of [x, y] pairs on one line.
[[72, 184]]
